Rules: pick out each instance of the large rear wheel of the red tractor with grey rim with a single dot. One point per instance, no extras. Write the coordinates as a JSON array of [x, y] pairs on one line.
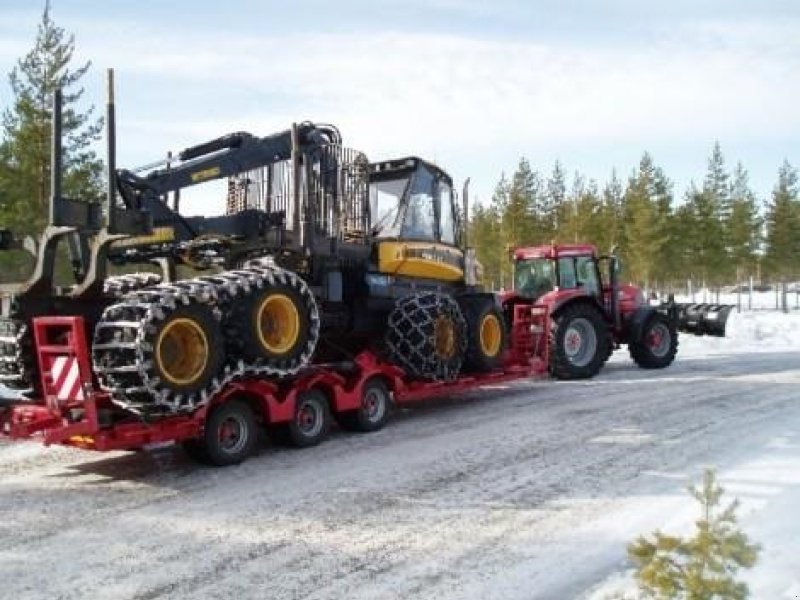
[[578, 342]]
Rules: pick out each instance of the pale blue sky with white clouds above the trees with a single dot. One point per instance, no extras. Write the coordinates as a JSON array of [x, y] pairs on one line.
[[473, 85]]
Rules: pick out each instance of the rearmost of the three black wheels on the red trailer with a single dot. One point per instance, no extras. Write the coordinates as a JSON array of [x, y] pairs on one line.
[[229, 437]]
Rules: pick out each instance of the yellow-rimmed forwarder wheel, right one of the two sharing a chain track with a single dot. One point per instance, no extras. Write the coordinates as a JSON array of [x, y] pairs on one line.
[[276, 324]]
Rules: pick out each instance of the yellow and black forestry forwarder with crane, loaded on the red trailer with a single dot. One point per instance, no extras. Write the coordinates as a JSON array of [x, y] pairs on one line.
[[338, 256]]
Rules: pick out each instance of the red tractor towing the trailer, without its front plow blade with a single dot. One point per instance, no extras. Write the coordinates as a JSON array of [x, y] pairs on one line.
[[591, 315]]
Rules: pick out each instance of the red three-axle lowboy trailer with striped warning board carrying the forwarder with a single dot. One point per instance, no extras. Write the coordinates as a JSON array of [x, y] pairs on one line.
[[74, 411]]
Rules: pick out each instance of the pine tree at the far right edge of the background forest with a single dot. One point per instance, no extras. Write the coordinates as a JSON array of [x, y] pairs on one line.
[[782, 256]]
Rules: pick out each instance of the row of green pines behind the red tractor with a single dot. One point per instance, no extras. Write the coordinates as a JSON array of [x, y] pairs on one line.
[[715, 234]]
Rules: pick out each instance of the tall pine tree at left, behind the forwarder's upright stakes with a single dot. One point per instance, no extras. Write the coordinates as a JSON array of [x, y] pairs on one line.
[[25, 149]]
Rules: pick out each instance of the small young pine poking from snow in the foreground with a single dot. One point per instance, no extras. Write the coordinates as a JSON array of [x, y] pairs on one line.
[[701, 567]]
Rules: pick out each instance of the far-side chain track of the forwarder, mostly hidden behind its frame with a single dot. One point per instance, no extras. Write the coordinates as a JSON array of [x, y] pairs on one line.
[[17, 357]]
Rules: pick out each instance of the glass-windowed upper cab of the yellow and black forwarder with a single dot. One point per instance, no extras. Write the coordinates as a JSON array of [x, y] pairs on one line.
[[411, 199]]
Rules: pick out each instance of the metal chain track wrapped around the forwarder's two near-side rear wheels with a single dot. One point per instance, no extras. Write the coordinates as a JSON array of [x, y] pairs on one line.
[[123, 358]]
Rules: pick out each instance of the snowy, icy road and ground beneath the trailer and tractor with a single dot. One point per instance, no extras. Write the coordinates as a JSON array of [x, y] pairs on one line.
[[529, 491]]
